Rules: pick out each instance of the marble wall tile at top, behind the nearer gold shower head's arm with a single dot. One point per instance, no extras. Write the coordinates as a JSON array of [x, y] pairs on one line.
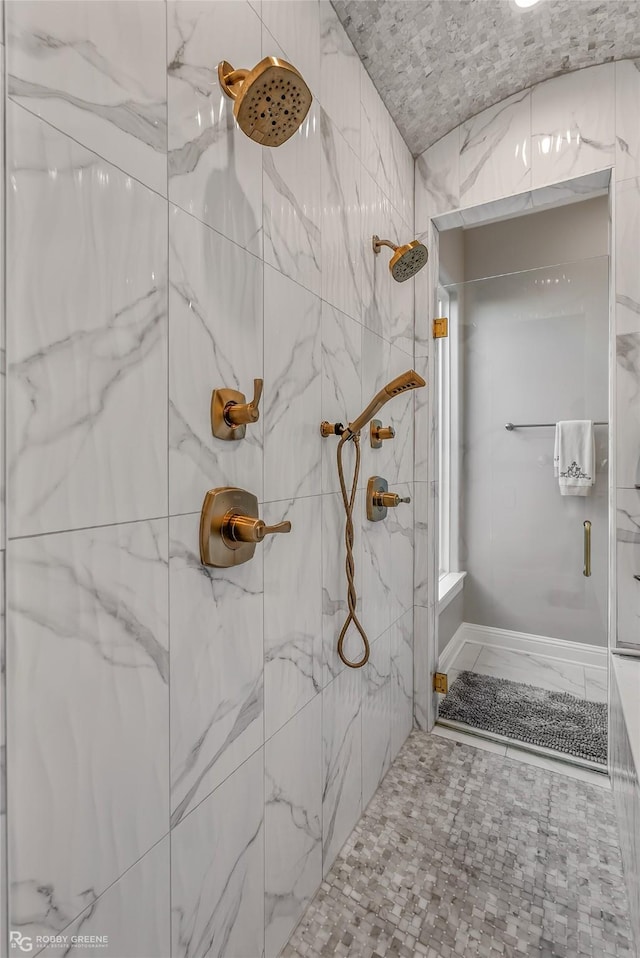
[[214, 170]]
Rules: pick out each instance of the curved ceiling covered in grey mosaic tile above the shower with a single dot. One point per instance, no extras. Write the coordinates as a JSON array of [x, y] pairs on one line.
[[438, 62]]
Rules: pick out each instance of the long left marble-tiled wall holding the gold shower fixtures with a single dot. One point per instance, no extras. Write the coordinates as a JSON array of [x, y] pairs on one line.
[[187, 752]]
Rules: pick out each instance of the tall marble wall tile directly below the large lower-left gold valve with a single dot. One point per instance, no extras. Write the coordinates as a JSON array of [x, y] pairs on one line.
[[216, 667]]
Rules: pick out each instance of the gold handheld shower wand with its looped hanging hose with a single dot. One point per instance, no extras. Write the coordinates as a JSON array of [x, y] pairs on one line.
[[408, 380]]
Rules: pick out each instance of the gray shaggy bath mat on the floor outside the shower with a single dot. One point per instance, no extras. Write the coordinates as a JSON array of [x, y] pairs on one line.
[[554, 720]]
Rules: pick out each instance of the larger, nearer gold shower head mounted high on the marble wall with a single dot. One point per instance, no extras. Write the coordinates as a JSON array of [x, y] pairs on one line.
[[271, 101]]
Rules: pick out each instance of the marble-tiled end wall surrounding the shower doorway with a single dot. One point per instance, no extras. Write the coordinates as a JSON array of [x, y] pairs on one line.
[[559, 130]]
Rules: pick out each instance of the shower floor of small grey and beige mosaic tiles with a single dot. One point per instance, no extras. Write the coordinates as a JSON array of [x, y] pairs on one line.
[[466, 852]]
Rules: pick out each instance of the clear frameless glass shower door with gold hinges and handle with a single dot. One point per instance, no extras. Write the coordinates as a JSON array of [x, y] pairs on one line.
[[532, 349]]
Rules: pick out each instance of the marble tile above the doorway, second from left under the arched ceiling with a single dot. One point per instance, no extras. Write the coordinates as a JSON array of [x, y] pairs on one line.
[[495, 151]]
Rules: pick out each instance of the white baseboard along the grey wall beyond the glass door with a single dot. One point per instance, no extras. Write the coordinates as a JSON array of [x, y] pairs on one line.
[[577, 652]]
